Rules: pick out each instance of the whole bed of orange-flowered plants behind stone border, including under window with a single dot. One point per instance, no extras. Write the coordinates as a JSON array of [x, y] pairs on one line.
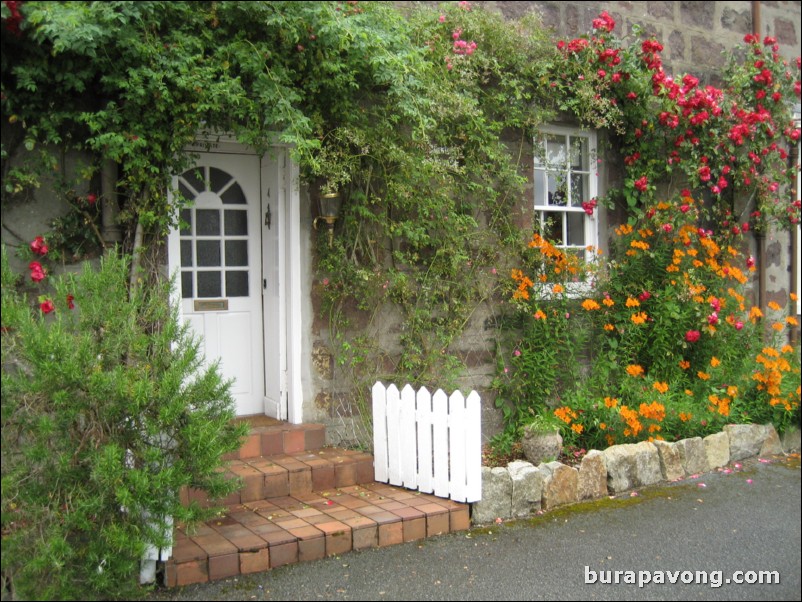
[[673, 347]]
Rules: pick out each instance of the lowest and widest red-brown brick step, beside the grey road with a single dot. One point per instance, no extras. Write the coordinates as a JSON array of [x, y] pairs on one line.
[[262, 534]]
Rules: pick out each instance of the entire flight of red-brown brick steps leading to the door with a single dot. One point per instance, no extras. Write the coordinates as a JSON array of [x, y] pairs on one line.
[[301, 501]]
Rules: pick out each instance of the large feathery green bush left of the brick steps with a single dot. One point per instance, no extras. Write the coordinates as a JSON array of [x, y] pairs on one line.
[[107, 412]]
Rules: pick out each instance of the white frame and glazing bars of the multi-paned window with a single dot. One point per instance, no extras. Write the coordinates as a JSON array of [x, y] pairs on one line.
[[572, 206]]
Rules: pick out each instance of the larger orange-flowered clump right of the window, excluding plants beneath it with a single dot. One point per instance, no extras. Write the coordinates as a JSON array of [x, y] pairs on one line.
[[676, 344]]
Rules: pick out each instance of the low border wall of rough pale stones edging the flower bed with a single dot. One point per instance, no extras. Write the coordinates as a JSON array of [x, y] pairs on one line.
[[521, 489]]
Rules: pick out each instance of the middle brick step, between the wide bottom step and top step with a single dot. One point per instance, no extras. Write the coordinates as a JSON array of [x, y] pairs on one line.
[[291, 474]]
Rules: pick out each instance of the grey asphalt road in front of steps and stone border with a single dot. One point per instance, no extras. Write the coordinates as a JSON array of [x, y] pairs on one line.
[[728, 525]]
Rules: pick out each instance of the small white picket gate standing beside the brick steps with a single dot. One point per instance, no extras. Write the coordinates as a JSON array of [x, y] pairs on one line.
[[432, 443]]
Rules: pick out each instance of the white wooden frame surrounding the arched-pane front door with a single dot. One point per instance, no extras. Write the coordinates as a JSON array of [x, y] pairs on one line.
[[286, 217]]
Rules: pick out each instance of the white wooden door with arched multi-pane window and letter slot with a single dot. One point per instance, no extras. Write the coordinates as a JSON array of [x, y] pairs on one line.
[[219, 255]]
